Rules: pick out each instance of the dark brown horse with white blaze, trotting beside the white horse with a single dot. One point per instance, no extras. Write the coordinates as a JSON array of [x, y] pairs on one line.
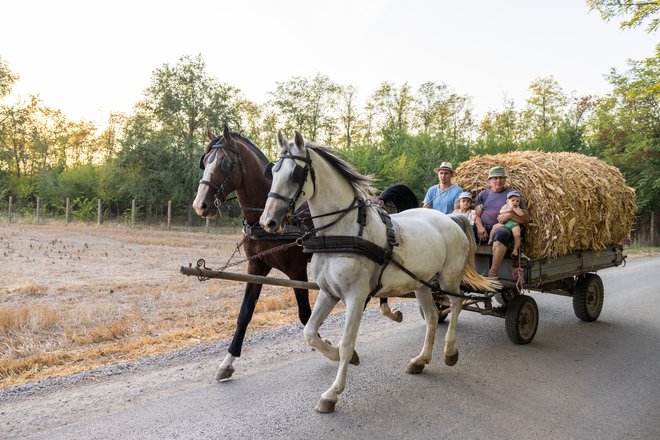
[[232, 163]]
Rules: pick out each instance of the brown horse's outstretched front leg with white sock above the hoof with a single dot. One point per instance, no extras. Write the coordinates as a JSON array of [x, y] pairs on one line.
[[250, 297]]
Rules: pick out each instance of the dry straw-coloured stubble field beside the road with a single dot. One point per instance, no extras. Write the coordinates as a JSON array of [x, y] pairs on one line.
[[75, 297]]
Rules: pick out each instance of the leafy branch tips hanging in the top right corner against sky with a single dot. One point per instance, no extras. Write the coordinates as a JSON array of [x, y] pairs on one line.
[[634, 13]]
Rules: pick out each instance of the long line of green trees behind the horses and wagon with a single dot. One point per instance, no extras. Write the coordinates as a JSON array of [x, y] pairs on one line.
[[396, 133]]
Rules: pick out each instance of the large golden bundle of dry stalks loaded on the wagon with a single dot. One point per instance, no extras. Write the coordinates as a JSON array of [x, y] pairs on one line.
[[575, 202]]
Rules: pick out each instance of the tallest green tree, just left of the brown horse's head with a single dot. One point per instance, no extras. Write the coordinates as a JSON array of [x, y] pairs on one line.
[[180, 104]]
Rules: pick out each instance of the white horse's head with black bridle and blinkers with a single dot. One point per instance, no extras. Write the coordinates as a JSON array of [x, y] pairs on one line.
[[293, 182]]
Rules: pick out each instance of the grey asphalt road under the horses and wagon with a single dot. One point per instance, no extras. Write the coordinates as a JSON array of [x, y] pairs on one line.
[[576, 380]]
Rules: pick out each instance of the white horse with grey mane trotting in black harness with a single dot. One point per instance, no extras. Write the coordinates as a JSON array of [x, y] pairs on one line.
[[430, 244]]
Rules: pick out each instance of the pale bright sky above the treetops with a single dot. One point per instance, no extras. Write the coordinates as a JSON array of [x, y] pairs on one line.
[[91, 57]]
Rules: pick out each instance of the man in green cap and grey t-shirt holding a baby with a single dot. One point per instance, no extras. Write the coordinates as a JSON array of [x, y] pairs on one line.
[[487, 208]]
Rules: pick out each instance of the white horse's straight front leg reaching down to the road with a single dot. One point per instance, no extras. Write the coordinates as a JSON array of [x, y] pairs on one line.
[[346, 352]]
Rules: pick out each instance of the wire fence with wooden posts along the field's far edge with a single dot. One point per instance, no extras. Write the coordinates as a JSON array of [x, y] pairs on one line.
[[68, 211]]
